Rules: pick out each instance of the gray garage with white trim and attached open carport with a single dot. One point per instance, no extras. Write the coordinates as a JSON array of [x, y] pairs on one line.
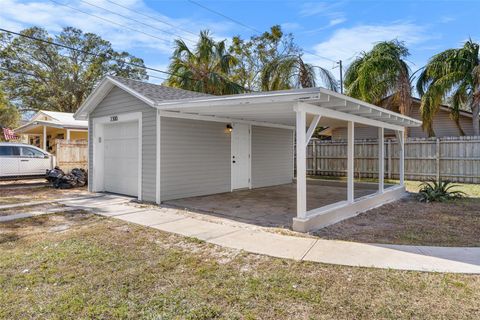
[[158, 143]]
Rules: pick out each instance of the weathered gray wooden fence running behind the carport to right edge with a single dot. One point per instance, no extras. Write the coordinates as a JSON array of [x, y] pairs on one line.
[[454, 158]]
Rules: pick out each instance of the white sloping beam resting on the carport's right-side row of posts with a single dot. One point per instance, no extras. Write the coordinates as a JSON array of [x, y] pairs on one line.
[[329, 113]]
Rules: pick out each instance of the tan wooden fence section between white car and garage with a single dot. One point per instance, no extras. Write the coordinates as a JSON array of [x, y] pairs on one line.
[[71, 154]]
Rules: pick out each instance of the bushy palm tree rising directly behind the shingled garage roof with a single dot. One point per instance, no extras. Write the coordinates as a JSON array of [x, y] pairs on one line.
[[205, 69]]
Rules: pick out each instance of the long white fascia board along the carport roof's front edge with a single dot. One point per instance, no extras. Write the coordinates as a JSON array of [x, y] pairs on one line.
[[270, 97]]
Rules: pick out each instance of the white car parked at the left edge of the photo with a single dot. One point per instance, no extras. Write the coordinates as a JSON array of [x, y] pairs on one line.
[[18, 160]]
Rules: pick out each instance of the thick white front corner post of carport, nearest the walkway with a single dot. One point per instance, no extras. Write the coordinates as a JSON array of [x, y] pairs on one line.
[[301, 165]]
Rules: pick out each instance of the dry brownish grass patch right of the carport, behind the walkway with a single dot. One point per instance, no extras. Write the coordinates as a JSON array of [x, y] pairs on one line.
[[407, 221]]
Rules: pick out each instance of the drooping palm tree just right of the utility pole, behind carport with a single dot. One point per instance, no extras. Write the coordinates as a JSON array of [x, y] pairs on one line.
[[381, 73]]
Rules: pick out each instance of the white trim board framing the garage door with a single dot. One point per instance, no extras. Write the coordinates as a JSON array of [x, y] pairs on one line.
[[98, 184]]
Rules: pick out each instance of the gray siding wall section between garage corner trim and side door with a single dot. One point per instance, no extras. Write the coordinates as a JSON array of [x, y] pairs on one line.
[[194, 158]]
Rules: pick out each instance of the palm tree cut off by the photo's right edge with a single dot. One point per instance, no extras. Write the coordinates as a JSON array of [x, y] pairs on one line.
[[454, 72]]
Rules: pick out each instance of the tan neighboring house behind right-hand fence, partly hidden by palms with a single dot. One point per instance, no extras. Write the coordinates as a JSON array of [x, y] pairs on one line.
[[443, 125]]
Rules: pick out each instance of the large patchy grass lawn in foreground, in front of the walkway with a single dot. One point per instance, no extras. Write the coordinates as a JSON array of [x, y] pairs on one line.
[[80, 265]]
